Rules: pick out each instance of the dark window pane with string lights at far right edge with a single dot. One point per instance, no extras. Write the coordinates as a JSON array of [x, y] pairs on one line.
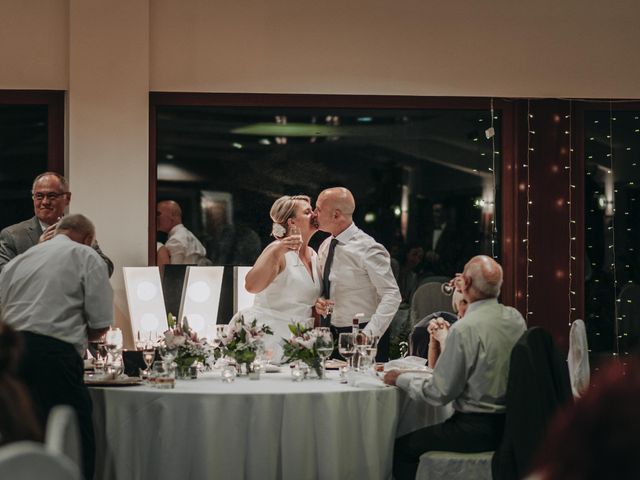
[[612, 239]]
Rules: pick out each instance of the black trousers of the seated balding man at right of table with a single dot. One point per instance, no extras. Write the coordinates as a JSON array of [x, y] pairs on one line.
[[463, 432]]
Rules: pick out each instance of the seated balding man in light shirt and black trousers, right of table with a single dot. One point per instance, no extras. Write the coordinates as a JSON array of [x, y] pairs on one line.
[[471, 372]]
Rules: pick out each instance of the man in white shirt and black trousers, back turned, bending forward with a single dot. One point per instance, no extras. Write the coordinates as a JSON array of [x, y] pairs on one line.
[[57, 295]]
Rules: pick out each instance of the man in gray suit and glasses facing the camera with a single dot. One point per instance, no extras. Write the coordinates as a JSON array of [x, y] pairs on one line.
[[51, 196]]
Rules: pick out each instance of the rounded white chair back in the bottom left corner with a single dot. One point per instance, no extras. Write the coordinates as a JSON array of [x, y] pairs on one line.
[[30, 460]]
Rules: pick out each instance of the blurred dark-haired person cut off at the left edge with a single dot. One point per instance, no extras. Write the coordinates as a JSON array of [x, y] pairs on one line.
[[17, 416]]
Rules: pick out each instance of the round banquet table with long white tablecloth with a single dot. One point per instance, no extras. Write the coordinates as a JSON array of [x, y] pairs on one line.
[[272, 428]]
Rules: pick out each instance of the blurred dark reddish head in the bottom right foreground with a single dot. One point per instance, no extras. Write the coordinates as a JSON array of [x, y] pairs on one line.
[[598, 437]]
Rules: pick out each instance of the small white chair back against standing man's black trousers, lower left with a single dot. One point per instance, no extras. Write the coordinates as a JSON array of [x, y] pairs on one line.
[[63, 434]]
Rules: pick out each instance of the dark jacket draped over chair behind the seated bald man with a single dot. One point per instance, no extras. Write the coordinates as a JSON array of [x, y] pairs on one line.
[[538, 384]]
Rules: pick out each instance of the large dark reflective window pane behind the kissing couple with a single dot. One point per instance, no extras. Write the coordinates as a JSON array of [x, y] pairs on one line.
[[422, 179]]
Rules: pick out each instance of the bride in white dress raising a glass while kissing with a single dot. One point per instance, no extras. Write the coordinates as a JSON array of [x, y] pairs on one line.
[[285, 276]]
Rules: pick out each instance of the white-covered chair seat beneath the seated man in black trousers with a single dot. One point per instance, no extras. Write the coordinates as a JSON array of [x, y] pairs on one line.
[[454, 466]]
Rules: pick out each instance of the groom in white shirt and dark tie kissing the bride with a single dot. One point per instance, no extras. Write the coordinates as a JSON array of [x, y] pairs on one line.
[[356, 271]]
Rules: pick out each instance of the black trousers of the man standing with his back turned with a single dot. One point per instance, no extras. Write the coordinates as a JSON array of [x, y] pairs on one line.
[[53, 372]]
